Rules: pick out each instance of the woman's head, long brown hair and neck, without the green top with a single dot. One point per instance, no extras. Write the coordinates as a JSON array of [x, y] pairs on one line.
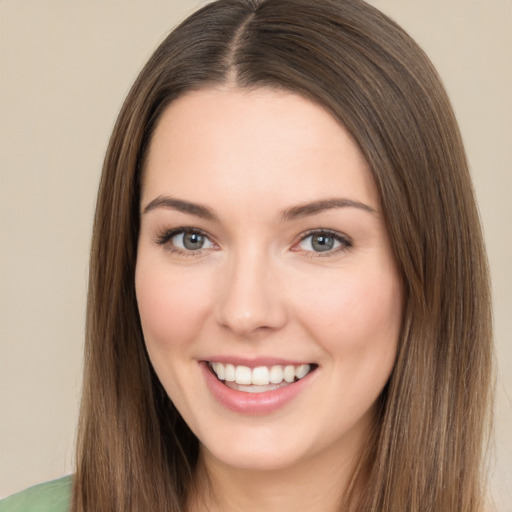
[[289, 300]]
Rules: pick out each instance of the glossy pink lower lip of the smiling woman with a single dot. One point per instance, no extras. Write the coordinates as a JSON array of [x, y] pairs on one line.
[[253, 403]]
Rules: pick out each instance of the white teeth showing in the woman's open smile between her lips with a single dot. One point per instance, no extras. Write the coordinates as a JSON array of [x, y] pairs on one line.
[[261, 378]]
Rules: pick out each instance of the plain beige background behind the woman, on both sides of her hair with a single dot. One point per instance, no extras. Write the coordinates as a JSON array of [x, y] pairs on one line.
[[65, 67]]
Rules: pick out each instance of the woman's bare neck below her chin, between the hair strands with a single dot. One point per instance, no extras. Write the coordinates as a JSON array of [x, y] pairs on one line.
[[320, 483]]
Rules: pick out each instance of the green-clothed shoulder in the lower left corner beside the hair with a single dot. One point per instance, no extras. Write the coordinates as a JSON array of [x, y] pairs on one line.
[[54, 496]]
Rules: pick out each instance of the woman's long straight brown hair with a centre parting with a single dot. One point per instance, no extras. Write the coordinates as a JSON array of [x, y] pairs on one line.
[[134, 450]]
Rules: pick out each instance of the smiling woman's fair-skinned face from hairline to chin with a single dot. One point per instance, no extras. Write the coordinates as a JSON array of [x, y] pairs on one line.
[[269, 297]]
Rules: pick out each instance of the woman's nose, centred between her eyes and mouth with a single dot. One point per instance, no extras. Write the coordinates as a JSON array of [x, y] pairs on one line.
[[251, 299]]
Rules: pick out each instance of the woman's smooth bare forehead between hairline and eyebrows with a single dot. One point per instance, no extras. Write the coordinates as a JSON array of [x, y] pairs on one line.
[[240, 143]]
